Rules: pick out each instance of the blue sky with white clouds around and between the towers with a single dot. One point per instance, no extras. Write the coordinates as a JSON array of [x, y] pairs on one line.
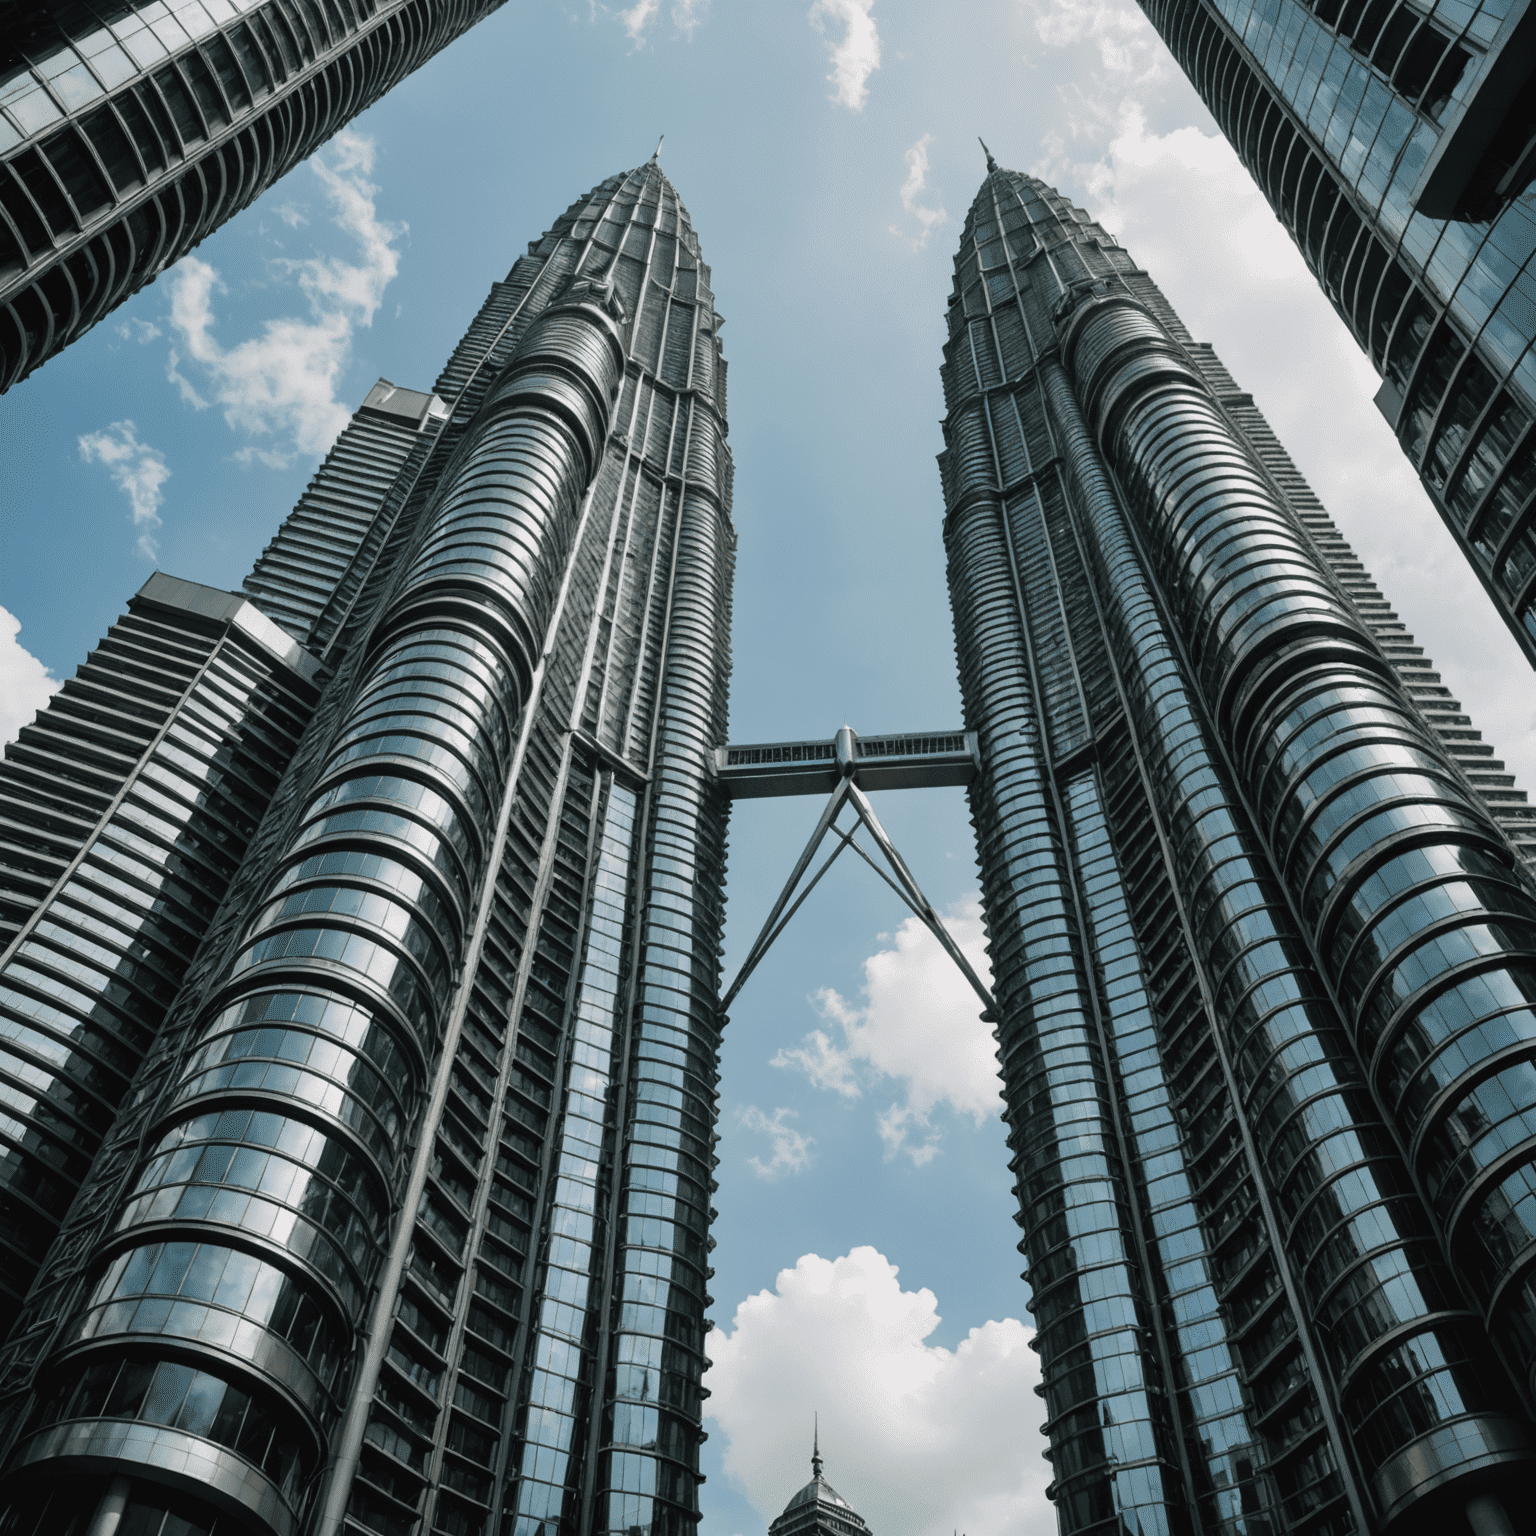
[[827, 154]]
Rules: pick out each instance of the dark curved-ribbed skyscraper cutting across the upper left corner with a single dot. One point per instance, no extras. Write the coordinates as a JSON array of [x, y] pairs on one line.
[[131, 131]]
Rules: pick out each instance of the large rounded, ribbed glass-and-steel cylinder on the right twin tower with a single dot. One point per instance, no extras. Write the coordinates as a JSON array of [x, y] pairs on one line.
[[1415, 905]]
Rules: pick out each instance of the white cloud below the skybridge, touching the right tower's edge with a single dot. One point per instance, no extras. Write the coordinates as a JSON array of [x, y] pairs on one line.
[[915, 996]]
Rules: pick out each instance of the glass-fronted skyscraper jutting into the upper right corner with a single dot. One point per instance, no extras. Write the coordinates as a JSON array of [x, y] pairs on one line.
[[1397, 144]]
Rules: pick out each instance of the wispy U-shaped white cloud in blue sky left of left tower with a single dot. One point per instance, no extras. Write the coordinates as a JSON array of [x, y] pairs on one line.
[[280, 388]]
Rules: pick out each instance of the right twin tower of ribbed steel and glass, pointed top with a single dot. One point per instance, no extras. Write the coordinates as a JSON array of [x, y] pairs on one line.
[[1263, 938]]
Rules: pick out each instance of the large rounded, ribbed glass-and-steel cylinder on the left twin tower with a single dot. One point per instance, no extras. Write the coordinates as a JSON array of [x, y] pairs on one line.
[[266, 1194]]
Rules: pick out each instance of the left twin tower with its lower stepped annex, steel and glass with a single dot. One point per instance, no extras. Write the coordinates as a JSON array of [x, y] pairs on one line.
[[363, 945]]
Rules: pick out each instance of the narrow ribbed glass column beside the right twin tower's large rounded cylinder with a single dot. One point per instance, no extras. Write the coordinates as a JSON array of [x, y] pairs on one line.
[[1372, 1285]]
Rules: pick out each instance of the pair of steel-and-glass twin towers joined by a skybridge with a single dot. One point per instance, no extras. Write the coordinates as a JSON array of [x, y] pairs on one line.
[[360, 993]]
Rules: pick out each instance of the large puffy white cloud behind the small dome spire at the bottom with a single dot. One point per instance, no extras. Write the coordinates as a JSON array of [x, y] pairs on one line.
[[918, 1438]]
